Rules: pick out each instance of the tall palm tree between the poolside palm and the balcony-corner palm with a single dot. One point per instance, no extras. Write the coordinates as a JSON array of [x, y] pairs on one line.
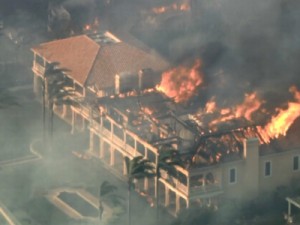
[[137, 168]]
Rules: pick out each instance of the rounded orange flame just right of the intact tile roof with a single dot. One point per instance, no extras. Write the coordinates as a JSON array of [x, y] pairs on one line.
[[181, 82]]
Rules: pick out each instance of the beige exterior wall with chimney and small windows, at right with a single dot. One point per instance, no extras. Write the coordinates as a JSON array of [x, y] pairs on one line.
[[250, 172]]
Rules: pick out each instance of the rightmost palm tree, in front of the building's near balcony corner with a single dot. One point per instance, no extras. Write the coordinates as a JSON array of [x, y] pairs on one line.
[[168, 159]]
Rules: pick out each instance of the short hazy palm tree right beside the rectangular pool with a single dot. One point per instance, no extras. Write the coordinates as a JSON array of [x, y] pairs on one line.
[[107, 193]]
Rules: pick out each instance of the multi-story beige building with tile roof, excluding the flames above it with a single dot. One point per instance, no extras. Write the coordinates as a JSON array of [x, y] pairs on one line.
[[137, 120]]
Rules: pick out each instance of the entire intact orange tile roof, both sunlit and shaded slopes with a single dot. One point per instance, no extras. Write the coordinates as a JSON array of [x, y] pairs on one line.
[[94, 65]]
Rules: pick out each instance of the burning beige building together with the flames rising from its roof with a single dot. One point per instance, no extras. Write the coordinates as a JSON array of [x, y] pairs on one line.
[[226, 152]]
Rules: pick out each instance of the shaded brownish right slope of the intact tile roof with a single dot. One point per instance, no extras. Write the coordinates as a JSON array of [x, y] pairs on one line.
[[120, 57]]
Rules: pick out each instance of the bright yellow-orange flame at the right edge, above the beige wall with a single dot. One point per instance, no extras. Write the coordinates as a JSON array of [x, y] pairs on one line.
[[281, 122]]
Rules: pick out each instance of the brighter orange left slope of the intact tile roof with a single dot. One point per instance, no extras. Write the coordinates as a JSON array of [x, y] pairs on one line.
[[75, 53]]
